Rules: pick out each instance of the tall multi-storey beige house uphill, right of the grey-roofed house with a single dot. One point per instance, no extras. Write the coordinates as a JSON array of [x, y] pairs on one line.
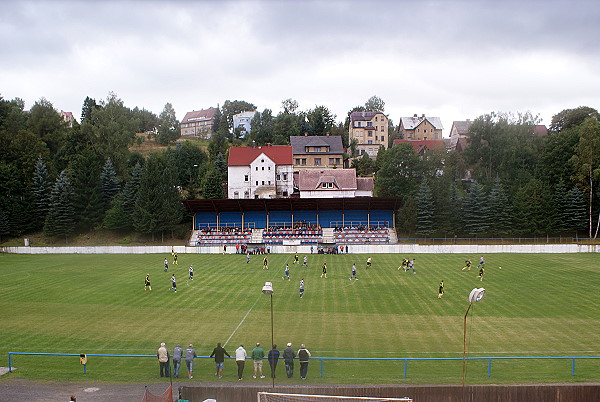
[[370, 130]]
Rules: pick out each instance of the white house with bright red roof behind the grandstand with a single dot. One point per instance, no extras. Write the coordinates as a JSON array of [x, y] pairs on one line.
[[260, 172]]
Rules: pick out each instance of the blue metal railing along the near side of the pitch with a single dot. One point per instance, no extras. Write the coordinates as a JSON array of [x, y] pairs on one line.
[[322, 360]]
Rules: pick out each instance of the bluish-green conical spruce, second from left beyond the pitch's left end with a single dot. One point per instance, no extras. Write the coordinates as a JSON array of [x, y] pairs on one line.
[[60, 220]]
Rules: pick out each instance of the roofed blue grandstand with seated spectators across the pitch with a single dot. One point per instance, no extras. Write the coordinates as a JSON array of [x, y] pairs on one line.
[[293, 221]]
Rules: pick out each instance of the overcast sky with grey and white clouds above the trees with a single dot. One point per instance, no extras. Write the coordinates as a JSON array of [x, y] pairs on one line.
[[451, 59]]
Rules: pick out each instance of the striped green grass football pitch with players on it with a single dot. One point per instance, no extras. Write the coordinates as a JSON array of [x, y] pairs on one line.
[[535, 305]]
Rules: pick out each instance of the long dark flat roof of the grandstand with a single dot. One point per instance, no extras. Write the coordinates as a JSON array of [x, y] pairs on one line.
[[292, 204]]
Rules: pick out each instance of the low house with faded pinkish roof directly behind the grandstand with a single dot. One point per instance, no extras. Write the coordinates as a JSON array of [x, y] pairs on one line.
[[332, 183]]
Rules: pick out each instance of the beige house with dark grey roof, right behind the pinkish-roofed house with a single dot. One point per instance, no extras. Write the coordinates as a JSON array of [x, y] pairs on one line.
[[317, 152]]
